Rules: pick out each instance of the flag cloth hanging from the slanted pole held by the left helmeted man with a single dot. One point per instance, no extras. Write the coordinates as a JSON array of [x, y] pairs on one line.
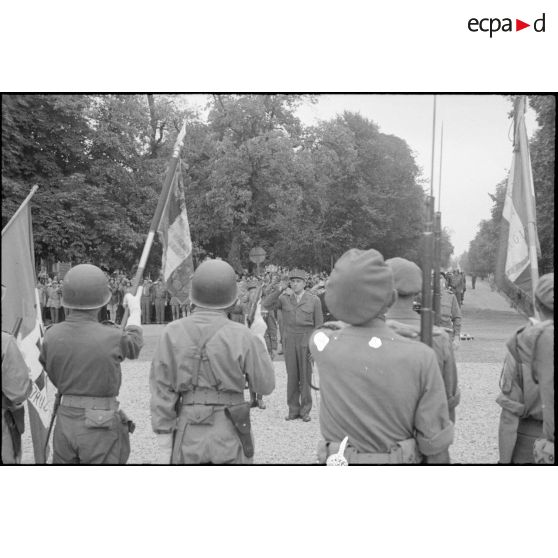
[[174, 232]]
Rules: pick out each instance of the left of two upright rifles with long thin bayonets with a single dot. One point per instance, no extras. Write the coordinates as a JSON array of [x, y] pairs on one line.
[[428, 252]]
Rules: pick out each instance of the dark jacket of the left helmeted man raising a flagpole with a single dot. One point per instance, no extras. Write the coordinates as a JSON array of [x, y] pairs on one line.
[[82, 356]]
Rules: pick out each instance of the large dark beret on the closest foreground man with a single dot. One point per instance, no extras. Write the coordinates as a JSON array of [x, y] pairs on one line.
[[359, 287]]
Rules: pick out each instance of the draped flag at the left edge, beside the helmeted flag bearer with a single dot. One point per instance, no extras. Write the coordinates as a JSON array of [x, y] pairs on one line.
[[22, 302]]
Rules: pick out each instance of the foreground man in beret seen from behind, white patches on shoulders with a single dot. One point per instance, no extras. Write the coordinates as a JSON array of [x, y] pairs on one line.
[[381, 391]]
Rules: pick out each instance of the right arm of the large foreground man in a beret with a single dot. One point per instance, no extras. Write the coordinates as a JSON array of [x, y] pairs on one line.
[[434, 430]]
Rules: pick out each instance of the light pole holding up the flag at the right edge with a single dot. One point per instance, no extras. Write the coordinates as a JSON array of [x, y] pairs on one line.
[[530, 209]]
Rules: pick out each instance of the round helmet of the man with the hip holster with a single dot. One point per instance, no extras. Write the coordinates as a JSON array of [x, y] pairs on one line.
[[214, 285]]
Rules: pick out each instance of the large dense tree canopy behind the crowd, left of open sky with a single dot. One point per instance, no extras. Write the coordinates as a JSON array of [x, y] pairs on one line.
[[254, 175]]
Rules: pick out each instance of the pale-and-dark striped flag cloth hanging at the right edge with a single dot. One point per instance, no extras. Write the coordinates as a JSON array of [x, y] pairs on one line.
[[519, 210]]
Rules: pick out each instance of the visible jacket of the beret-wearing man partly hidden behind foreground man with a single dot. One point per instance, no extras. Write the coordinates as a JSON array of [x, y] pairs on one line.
[[407, 323]]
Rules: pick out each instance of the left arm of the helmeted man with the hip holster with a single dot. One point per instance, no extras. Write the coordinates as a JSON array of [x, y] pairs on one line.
[[162, 386]]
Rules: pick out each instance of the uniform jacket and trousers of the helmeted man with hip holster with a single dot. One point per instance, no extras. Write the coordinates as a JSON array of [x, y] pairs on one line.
[[195, 407]]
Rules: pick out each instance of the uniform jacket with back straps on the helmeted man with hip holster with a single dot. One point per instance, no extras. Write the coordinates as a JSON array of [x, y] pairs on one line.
[[234, 353]]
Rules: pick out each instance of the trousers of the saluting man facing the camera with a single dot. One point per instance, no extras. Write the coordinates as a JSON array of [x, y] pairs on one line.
[[299, 371]]
